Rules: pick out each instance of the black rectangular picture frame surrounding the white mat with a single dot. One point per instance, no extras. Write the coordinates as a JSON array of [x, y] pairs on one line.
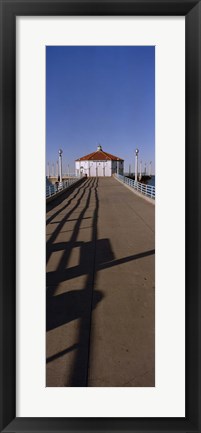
[[8, 13]]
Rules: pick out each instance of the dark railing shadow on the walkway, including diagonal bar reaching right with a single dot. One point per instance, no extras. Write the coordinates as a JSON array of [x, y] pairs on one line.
[[77, 304]]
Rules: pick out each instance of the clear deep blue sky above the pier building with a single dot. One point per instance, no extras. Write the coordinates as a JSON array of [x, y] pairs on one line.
[[100, 94]]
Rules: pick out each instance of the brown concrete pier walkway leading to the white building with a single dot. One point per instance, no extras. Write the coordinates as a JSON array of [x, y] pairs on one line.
[[100, 287]]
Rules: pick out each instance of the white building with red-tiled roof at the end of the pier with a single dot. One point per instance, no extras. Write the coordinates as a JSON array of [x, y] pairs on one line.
[[99, 164]]
